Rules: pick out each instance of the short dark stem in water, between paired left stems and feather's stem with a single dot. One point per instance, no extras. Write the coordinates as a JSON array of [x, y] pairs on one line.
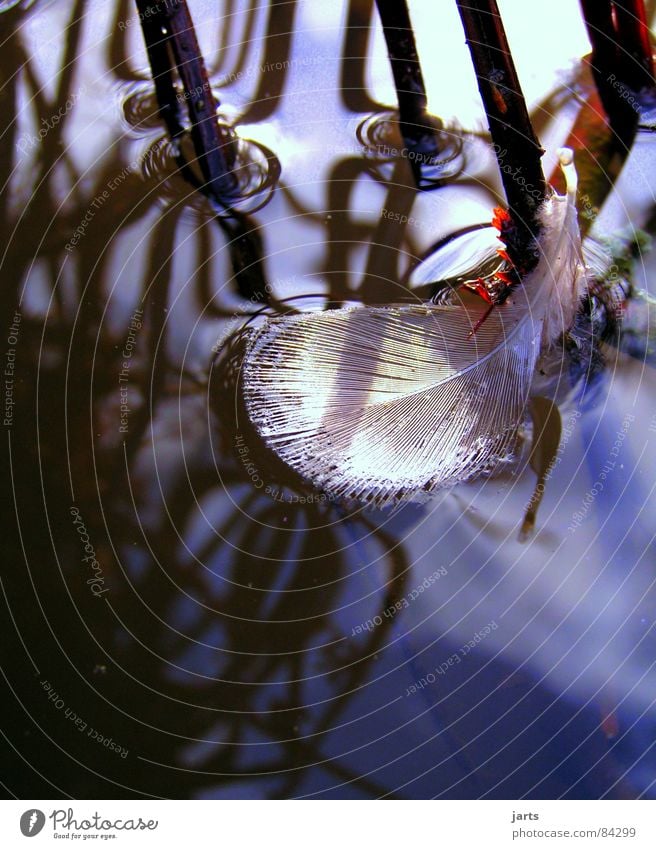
[[419, 131]]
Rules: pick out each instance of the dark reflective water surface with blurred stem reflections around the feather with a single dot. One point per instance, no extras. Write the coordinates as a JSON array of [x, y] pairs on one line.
[[232, 633]]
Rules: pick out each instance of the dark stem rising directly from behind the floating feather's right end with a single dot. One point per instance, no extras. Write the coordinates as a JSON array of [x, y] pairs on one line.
[[515, 143]]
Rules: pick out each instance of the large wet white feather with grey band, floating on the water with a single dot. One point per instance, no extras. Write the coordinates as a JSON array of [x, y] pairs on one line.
[[385, 403]]
